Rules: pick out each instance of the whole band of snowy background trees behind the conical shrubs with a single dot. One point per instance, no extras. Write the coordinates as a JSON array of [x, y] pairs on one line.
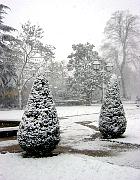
[[23, 55]]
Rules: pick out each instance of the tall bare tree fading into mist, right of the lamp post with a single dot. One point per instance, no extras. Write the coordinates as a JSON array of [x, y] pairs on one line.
[[122, 42]]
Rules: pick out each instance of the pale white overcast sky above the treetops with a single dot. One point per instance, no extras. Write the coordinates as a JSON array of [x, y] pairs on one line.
[[66, 22]]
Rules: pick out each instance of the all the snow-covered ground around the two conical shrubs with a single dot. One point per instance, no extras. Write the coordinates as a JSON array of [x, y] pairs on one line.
[[78, 126]]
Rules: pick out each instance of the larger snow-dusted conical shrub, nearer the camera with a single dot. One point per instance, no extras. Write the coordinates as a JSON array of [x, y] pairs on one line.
[[39, 131]]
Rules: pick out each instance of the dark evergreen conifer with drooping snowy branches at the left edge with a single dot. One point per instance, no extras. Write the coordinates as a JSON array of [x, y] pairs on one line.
[[7, 69]]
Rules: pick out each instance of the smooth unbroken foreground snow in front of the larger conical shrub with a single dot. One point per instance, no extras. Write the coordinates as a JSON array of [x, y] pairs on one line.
[[62, 167]]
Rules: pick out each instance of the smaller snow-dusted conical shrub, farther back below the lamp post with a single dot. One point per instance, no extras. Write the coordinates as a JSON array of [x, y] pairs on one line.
[[112, 121]]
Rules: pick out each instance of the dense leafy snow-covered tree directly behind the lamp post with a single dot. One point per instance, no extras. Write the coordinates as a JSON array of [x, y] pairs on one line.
[[84, 79]]
